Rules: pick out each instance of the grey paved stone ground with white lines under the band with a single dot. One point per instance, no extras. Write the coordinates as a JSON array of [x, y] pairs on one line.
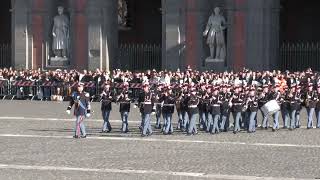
[[36, 143]]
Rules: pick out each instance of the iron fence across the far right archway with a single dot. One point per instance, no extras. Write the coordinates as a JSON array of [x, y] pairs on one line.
[[300, 56]]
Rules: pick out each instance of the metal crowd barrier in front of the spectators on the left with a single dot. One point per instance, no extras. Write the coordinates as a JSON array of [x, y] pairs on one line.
[[59, 91]]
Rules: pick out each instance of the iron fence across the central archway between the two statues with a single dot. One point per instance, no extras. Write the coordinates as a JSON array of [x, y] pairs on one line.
[[140, 56]]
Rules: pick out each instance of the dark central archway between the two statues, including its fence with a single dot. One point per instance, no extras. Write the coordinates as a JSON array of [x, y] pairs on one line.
[[140, 43]]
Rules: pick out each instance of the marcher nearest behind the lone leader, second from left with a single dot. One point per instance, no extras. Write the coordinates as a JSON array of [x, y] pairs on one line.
[[106, 107]]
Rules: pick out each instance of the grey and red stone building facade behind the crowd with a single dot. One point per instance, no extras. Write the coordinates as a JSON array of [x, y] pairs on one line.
[[252, 34]]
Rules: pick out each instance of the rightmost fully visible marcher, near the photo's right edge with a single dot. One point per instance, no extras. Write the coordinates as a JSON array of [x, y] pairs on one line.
[[310, 103]]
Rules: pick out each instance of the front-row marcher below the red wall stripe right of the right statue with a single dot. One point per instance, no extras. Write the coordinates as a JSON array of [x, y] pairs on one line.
[[237, 102]]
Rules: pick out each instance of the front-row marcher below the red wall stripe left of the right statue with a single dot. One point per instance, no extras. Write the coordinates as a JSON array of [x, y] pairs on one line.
[[193, 111]]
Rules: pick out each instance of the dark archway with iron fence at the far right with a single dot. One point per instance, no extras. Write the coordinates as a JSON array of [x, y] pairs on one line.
[[299, 35]]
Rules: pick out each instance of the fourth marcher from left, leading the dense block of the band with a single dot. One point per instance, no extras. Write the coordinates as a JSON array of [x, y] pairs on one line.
[[146, 102]]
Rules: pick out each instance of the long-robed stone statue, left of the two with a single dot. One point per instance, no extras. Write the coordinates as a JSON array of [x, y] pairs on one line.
[[60, 34]]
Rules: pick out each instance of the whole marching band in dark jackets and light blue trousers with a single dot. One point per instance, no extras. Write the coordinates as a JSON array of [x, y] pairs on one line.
[[209, 105]]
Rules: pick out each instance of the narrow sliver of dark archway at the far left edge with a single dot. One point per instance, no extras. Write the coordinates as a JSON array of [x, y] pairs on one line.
[[5, 33]]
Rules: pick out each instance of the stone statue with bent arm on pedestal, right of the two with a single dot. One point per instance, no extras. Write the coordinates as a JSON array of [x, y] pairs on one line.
[[215, 36]]
